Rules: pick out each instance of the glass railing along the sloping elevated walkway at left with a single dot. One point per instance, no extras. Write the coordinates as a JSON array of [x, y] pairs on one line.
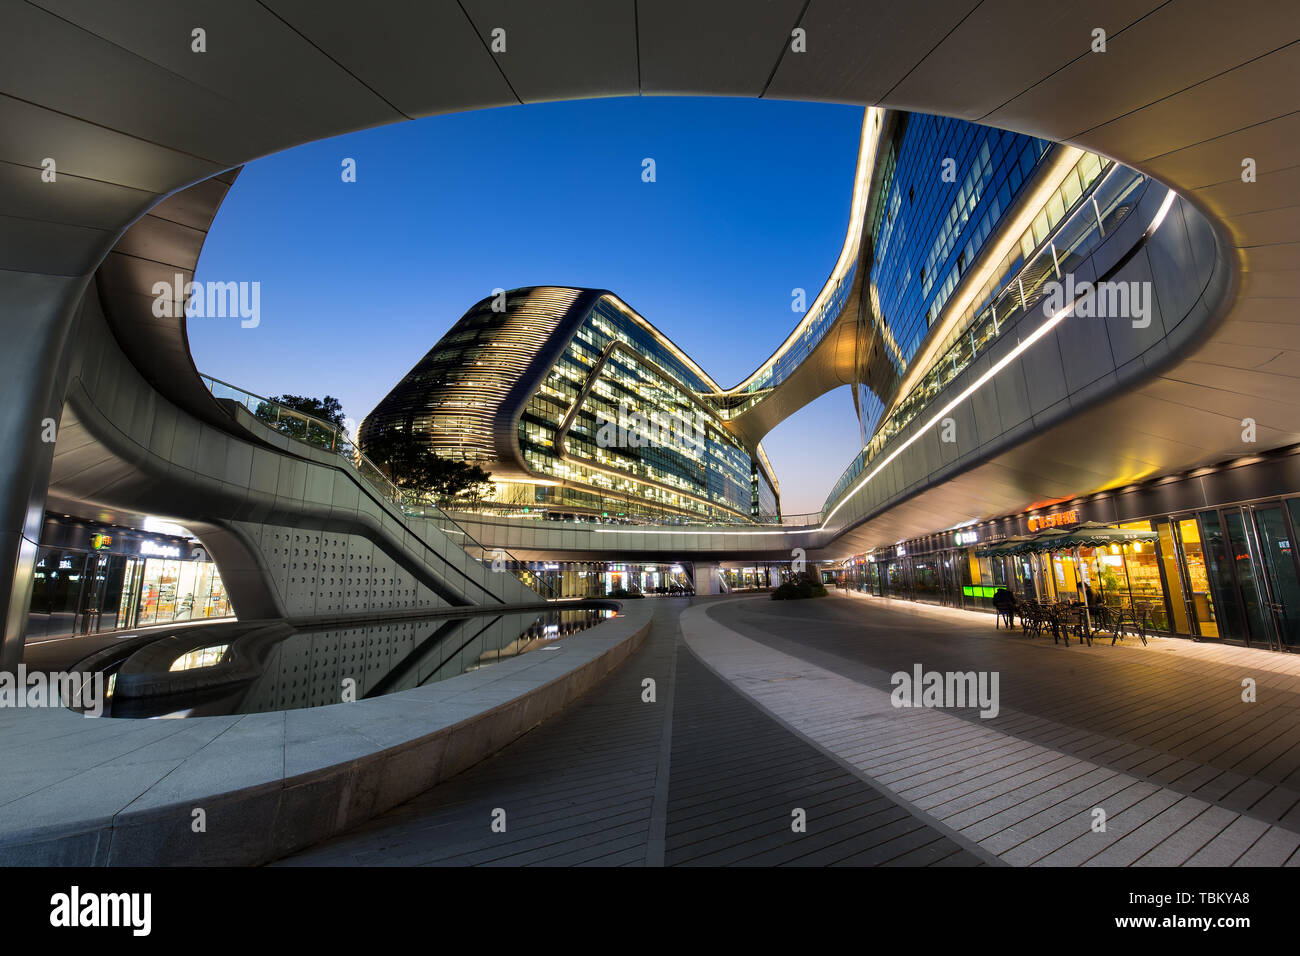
[[331, 438]]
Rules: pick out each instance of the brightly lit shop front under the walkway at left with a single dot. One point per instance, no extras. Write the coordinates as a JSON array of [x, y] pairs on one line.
[[93, 577]]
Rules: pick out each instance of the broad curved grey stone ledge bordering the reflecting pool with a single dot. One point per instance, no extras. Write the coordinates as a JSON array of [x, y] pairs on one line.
[[107, 791]]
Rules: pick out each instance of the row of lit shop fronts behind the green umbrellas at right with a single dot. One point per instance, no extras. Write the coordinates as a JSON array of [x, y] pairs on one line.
[[1216, 563]]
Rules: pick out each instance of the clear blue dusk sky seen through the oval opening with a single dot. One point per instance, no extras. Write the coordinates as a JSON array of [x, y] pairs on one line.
[[361, 280]]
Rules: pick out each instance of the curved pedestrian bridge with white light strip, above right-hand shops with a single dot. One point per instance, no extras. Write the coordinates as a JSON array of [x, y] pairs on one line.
[[1054, 406]]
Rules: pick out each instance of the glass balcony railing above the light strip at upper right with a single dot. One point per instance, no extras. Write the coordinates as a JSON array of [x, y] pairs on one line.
[[1094, 218]]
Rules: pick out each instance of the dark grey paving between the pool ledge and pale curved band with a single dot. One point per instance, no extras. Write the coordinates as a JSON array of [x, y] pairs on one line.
[[700, 777]]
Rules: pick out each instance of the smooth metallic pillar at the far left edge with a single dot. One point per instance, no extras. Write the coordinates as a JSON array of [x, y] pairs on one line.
[[36, 322]]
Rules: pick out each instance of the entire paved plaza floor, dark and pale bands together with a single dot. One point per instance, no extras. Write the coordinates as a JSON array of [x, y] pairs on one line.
[[768, 708]]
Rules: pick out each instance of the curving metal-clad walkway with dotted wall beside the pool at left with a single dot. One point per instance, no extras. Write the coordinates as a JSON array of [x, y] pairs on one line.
[[296, 530]]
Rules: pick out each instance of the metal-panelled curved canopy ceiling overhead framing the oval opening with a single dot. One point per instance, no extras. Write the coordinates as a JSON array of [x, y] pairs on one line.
[[1185, 90]]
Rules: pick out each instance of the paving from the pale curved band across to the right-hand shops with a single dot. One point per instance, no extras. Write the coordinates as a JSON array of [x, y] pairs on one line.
[[1158, 738]]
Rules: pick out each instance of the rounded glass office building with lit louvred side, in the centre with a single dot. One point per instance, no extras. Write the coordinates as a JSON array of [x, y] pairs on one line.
[[578, 405]]
